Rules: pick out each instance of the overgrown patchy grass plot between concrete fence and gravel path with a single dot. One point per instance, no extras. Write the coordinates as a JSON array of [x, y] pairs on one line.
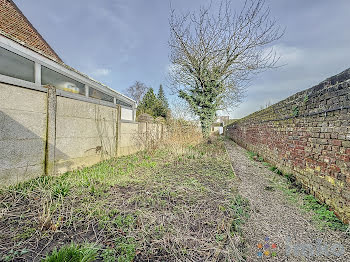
[[163, 205]]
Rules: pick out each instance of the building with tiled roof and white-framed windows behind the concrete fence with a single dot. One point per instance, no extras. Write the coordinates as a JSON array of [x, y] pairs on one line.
[[28, 61]]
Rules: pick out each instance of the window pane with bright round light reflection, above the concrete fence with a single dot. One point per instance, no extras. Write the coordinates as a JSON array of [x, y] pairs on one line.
[[50, 77]]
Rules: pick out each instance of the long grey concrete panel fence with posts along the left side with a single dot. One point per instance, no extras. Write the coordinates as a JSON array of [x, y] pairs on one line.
[[43, 133]]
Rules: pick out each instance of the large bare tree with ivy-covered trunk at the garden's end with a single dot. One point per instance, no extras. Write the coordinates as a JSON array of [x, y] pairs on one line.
[[215, 54]]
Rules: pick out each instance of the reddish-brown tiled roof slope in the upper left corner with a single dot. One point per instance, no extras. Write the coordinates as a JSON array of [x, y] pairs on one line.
[[14, 25]]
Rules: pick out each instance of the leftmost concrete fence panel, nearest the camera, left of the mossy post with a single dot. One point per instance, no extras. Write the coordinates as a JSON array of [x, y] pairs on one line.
[[22, 133]]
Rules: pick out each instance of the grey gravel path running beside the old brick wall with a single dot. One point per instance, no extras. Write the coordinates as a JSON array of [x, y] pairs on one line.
[[283, 223]]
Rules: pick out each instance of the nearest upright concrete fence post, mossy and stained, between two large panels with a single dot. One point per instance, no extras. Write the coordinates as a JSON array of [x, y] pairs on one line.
[[50, 143]]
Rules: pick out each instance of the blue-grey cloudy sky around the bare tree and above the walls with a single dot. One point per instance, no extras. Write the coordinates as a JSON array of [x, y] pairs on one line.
[[120, 41]]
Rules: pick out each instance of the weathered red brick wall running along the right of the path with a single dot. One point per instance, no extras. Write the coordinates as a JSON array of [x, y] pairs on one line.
[[308, 135]]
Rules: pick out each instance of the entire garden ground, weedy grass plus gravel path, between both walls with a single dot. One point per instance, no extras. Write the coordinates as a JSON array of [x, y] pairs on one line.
[[179, 204]]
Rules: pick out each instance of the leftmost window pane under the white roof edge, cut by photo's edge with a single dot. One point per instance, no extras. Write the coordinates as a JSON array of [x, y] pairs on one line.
[[16, 66]]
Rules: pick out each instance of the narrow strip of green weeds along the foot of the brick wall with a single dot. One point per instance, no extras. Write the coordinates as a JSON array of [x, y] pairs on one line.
[[323, 216]]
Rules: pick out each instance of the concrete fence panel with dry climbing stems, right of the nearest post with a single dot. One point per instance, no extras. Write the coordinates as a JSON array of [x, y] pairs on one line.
[[85, 134]]
